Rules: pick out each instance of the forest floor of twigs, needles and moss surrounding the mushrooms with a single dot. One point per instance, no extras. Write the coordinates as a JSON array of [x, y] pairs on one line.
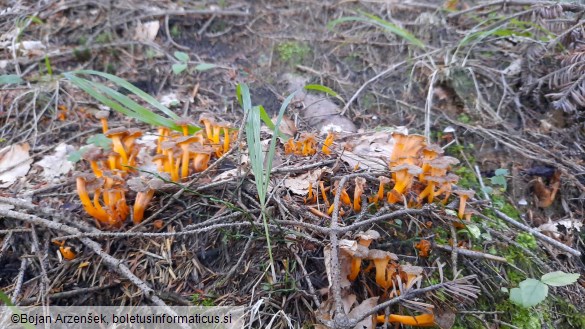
[[498, 85]]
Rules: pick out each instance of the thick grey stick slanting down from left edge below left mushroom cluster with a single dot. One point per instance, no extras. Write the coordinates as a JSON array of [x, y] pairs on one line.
[[114, 263]]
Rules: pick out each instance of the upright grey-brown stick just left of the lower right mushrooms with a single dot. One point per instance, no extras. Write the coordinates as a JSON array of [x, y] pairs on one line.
[[341, 318]]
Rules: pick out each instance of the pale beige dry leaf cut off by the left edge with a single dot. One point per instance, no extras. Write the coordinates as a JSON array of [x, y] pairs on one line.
[[14, 163]]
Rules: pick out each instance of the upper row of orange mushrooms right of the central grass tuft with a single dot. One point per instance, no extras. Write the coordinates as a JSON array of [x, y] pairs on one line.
[[419, 173]]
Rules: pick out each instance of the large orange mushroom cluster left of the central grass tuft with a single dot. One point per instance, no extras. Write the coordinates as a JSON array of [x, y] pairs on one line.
[[114, 171]]
